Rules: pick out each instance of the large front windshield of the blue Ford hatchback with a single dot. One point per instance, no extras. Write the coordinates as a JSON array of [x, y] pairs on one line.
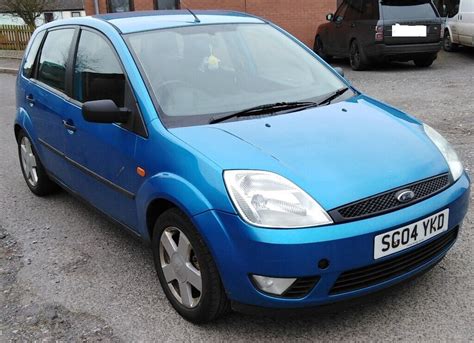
[[200, 72]]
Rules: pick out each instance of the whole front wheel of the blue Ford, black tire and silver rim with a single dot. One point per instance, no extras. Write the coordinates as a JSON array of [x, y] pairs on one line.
[[180, 255]]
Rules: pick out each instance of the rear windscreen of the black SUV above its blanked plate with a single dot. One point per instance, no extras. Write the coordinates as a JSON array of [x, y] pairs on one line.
[[407, 10]]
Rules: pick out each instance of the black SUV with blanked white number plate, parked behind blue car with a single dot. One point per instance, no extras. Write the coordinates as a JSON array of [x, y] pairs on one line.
[[379, 30]]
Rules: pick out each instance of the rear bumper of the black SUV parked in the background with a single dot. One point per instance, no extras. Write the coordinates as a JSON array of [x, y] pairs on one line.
[[402, 51]]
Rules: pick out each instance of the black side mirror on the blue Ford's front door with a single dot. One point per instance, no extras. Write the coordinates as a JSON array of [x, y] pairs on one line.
[[104, 111]]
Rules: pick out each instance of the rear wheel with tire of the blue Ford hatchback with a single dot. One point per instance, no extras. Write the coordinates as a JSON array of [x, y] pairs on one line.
[[32, 169]]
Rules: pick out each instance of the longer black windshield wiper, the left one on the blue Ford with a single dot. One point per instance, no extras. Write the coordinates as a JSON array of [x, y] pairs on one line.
[[264, 109]]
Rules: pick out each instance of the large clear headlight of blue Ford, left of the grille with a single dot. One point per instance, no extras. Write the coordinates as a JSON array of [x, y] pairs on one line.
[[269, 200]]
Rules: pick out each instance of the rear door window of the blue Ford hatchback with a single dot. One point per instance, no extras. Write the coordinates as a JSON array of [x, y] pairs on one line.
[[54, 58]]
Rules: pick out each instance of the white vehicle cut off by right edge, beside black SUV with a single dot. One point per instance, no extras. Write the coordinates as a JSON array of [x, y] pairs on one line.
[[459, 28]]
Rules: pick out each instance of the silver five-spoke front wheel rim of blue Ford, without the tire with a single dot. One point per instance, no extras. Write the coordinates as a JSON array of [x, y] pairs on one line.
[[180, 267]]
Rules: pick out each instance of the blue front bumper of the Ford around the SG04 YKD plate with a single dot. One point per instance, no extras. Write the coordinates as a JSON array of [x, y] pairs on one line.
[[240, 249]]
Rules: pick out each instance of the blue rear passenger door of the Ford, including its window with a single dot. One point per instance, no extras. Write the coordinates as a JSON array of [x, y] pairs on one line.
[[46, 95]]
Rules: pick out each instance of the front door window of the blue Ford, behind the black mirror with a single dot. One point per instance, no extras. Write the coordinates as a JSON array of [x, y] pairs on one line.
[[98, 74]]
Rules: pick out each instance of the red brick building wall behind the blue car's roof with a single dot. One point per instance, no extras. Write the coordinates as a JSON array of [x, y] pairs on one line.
[[300, 17]]
